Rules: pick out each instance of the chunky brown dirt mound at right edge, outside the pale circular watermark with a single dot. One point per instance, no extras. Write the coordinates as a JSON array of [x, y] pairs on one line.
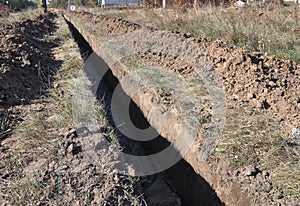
[[269, 84]]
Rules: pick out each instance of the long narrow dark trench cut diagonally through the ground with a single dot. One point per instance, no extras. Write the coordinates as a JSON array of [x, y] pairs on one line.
[[191, 188]]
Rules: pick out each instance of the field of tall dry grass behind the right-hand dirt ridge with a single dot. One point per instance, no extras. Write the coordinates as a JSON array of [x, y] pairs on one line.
[[271, 29]]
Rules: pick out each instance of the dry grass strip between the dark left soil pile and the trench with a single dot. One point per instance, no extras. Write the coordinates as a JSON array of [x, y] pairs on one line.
[[36, 138]]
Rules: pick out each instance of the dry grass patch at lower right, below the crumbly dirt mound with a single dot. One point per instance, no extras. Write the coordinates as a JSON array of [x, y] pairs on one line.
[[259, 140]]
